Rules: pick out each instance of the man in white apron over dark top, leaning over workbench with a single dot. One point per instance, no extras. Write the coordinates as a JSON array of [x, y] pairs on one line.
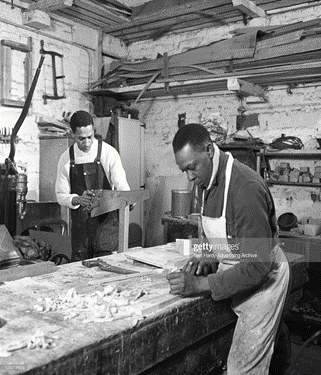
[[239, 224]]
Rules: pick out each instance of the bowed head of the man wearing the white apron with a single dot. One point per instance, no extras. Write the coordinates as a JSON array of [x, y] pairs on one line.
[[193, 149]]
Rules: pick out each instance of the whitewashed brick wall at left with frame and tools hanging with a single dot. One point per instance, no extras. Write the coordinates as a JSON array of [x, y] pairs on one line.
[[80, 67]]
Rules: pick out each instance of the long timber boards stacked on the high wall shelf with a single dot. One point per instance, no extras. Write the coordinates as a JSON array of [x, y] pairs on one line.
[[266, 56]]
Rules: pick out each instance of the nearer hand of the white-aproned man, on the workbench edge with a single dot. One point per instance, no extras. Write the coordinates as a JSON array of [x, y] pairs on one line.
[[186, 284]]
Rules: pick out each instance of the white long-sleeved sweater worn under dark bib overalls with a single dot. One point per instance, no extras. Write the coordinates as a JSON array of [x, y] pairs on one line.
[[110, 160]]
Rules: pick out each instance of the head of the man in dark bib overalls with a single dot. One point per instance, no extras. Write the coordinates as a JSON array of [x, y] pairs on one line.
[[82, 125]]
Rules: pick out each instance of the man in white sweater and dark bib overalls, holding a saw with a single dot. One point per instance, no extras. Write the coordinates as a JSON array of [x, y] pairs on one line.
[[89, 164]]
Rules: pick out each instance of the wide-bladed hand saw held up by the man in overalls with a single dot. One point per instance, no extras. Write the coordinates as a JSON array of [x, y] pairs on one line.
[[110, 200]]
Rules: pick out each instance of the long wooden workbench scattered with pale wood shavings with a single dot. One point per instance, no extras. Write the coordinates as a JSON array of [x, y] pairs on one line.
[[192, 335]]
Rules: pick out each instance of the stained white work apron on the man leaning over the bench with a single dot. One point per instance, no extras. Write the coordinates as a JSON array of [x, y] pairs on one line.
[[259, 311]]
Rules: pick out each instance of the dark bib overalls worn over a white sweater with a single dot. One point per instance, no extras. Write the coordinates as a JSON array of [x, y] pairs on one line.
[[95, 236]]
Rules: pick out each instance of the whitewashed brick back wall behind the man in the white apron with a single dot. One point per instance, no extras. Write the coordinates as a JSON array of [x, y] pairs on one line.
[[296, 114]]
